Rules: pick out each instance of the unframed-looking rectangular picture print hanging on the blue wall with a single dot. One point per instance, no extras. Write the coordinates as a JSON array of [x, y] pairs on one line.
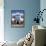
[[17, 18]]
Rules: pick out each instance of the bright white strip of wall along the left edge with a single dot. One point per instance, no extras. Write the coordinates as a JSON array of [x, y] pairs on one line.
[[1, 21]]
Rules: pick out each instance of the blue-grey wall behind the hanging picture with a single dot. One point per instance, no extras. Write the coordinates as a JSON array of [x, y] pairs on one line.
[[30, 7]]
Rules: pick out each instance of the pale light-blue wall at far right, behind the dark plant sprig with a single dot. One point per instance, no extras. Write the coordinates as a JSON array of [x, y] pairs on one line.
[[43, 6]]
